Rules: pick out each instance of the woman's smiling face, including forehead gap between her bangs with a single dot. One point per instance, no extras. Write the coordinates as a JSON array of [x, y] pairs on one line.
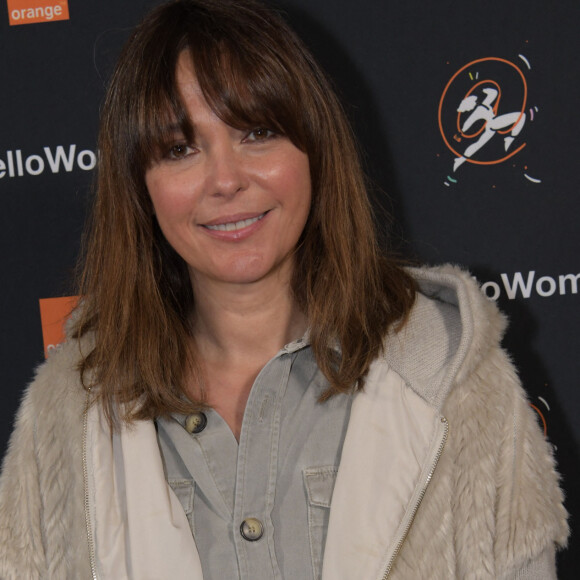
[[233, 203]]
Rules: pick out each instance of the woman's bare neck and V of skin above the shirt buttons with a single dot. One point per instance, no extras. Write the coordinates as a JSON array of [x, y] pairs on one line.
[[237, 330]]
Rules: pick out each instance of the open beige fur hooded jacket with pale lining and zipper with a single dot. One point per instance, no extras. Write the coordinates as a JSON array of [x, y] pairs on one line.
[[475, 495]]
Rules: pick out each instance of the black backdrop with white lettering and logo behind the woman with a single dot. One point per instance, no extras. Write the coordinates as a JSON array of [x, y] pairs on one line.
[[403, 70]]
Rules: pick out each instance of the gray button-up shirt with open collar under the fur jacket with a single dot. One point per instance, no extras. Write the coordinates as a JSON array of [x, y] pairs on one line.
[[281, 473]]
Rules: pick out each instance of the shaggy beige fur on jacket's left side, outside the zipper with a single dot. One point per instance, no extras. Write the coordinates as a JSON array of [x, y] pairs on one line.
[[43, 464]]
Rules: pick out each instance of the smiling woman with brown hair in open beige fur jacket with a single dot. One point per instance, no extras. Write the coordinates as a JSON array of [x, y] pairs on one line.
[[250, 387]]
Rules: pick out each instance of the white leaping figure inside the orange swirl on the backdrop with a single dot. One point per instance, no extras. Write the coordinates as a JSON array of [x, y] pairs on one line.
[[493, 123]]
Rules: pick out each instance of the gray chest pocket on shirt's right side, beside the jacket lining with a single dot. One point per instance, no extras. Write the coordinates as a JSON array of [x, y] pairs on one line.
[[319, 485]]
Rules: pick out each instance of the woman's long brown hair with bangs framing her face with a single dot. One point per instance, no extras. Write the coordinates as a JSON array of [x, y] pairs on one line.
[[138, 299]]
